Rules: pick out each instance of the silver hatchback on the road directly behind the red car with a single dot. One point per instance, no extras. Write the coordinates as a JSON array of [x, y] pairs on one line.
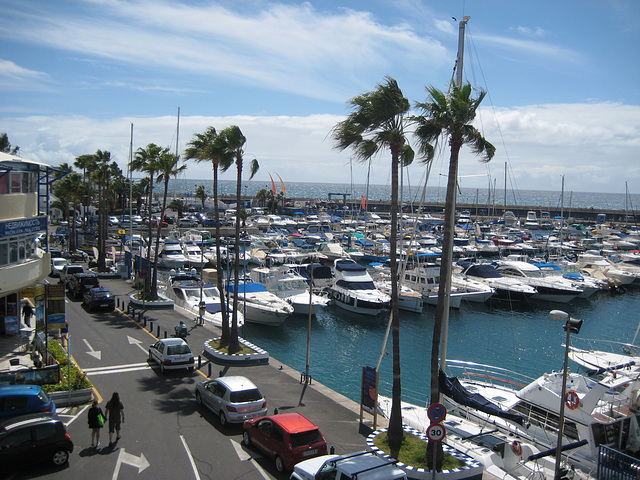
[[234, 399]]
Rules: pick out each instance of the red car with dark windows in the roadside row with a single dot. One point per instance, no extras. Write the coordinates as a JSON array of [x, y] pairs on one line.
[[288, 438]]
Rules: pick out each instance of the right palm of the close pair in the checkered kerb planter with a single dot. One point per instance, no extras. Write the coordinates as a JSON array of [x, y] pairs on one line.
[[232, 143]]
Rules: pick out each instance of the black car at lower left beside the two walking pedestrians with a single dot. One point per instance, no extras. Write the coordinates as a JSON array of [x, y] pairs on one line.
[[34, 438]]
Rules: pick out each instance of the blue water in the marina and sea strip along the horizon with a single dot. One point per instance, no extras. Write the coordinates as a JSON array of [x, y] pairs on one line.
[[523, 338]]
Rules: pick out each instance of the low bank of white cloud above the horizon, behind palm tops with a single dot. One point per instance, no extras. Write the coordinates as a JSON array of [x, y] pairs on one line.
[[594, 145]]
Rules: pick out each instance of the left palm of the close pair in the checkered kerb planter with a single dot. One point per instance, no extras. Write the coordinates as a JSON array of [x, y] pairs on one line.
[[207, 147]]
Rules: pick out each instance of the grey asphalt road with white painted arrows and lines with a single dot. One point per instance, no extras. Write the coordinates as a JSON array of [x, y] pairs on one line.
[[165, 434]]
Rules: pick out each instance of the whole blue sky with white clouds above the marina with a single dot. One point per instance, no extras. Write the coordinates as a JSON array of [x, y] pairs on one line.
[[562, 83]]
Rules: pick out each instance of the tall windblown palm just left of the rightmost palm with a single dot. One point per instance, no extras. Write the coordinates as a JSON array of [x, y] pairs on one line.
[[377, 122]]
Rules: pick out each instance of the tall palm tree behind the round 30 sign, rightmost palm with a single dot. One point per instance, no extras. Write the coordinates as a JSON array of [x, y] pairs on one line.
[[448, 117]]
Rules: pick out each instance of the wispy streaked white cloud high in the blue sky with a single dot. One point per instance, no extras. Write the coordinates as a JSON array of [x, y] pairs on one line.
[[289, 48]]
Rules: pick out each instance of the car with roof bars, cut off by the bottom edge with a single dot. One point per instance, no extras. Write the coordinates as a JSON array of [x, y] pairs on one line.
[[360, 465]]
